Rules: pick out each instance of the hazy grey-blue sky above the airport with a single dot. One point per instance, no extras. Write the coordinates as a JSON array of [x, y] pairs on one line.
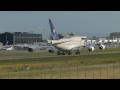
[[87, 23]]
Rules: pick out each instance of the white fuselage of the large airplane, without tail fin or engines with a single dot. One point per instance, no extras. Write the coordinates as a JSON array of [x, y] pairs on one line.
[[68, 44]]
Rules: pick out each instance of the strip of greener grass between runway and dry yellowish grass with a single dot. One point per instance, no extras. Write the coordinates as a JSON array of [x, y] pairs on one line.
[[100, 58]]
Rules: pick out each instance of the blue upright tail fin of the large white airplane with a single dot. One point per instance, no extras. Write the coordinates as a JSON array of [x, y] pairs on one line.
[[54, 35]]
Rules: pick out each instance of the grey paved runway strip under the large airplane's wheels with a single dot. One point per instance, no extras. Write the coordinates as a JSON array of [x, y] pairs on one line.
[[53, 55]]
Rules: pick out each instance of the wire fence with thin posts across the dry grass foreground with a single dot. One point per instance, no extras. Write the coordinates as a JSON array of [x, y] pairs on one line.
[[69, 71]]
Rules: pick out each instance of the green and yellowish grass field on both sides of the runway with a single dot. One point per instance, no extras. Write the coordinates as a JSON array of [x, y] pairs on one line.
[[84, 66]]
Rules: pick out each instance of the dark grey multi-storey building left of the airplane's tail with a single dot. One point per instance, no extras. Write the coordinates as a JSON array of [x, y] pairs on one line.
[[9, 38]]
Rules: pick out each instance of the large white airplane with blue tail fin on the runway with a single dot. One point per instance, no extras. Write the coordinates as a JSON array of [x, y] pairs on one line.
[[66, 45]]
